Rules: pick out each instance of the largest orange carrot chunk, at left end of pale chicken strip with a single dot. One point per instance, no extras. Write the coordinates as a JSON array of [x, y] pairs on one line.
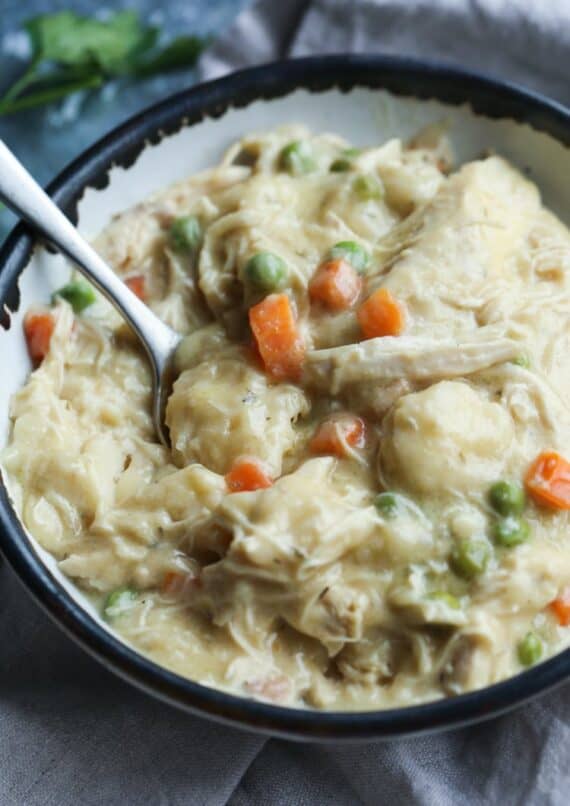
[[277, 336]]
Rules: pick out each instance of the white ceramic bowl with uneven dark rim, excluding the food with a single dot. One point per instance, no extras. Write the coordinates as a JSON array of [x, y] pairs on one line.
[[366, 99]]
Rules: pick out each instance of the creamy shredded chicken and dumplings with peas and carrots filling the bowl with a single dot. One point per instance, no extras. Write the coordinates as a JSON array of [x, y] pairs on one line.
[[366, 500]]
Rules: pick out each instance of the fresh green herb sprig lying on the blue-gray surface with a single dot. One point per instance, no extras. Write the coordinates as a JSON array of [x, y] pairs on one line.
[[72, 53]]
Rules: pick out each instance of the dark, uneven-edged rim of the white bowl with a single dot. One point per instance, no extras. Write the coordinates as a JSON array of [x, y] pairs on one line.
[[401, 76]]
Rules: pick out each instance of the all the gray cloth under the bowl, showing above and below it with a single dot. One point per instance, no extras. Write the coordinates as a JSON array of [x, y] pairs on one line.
[[73, 734]]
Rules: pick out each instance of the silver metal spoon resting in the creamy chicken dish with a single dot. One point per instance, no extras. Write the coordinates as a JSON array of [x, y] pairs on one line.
[[20, 192]]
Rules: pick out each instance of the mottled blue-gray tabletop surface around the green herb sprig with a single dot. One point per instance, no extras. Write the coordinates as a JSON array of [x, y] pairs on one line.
[[47, 139]]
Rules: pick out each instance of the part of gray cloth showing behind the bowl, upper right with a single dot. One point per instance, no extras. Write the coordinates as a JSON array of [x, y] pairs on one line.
[[522, 40]]
